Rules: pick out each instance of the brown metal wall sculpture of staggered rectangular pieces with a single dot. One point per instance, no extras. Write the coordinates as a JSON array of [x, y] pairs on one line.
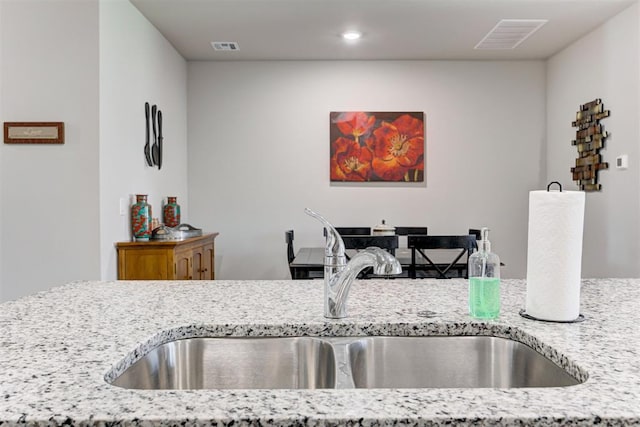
[[590, 138]]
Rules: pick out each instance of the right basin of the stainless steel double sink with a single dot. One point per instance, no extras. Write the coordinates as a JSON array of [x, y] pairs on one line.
[[451, 362]]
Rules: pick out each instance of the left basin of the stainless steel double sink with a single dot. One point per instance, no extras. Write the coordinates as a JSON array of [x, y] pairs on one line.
[[234, 363]]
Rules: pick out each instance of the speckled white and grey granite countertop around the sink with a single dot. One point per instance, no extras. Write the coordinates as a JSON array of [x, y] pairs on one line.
[[57, 346]]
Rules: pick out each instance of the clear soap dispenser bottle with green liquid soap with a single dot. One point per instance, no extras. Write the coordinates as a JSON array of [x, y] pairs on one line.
[[484, 280]]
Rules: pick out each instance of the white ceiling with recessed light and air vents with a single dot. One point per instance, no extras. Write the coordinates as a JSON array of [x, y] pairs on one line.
[[392, 29]]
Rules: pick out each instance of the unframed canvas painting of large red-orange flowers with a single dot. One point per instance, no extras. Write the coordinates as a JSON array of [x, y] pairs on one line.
[[377, 146]]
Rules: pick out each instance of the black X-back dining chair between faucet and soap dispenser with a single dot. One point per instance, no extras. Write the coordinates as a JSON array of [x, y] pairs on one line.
[[458, 248]]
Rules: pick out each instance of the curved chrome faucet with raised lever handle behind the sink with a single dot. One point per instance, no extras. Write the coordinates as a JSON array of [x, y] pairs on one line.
[[339, 275]]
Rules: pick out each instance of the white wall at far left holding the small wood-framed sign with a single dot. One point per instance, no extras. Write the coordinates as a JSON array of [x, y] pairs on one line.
[[49, 211]]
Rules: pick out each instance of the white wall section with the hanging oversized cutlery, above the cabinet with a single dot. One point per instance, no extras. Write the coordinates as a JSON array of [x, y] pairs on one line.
[[137, 65]]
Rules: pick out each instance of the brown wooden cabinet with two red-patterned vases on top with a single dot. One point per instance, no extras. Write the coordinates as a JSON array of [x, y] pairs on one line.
[[189, 259]]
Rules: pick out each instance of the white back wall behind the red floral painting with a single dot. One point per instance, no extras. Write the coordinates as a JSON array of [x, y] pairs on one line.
[[259, 153]]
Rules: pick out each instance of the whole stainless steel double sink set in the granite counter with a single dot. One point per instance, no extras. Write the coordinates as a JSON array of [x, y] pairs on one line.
[[342, 363]]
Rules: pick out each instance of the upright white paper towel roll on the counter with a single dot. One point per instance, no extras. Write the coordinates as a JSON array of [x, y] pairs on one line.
[[554, 255]]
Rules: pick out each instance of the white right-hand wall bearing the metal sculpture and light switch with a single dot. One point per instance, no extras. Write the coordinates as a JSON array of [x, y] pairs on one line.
[[603, 64]]
